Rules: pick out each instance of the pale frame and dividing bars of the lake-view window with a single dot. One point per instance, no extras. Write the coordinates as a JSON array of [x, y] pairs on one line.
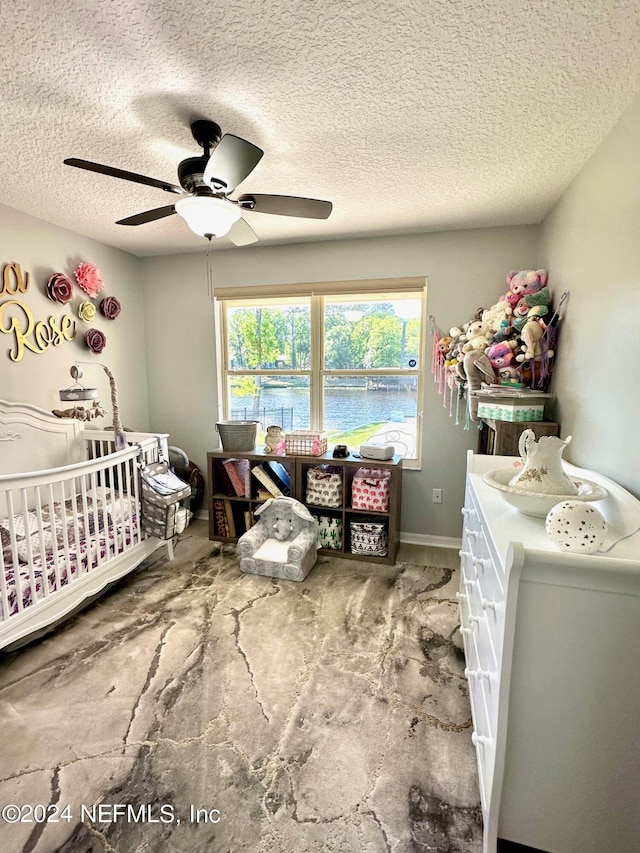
[[316, 295]]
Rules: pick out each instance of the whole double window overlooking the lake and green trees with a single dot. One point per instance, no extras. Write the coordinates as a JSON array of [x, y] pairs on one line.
[[346, 358]]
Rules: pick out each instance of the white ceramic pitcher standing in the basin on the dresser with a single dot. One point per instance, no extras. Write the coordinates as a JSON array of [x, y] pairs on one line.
[[543, 472]]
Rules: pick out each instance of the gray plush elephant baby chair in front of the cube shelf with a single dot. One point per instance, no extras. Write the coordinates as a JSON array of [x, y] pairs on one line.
[[283, 543]]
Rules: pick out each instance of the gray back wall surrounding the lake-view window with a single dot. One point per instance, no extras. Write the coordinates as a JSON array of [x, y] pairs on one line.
[[465, 269]]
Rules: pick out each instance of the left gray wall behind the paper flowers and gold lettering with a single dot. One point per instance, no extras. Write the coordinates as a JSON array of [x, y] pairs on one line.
[[42, 249]]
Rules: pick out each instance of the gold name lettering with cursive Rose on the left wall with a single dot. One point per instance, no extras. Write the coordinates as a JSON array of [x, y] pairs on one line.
[[16, 319]]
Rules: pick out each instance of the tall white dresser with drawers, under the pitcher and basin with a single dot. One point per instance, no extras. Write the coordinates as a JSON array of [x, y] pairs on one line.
[[552, 648]]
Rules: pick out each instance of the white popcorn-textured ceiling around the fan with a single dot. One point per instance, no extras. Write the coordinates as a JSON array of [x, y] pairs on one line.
[[409, 115]]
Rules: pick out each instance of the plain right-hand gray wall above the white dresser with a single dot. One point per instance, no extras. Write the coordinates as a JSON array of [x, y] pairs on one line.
[[591, 244]]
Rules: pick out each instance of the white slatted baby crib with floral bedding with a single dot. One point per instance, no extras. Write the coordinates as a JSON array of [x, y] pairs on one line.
[[70, 520]]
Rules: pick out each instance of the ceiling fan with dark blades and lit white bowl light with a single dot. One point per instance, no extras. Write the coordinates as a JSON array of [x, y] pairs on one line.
[[205, 185]]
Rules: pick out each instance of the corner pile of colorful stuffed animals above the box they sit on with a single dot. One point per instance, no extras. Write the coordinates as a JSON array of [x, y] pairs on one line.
[[498, 364]]
